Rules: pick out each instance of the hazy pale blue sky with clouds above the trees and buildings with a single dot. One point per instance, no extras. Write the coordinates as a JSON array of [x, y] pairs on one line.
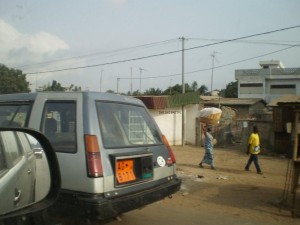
[[130, 45]]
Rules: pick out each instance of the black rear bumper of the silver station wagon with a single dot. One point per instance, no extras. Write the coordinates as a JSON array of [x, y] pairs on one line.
[[96, 206]]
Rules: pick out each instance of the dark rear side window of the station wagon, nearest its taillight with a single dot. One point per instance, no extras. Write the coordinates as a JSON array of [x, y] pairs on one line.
[[59, 125]]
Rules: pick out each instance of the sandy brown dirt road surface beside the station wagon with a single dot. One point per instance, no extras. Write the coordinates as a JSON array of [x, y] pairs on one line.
[[227, 195]]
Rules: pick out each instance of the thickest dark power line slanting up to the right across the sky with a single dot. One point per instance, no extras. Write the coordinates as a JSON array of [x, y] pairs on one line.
[[165, 53]]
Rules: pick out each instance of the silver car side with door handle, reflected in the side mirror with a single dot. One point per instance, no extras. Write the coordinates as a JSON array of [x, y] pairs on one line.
[[17, 171]]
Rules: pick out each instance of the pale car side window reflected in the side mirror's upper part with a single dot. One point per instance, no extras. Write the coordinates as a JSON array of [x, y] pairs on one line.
[[13, 152]]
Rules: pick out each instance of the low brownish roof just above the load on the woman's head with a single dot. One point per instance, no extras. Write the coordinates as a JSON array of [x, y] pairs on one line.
[[233, 101]]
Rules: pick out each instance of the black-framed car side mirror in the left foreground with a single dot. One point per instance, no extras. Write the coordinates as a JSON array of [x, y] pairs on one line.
[[29, 173]]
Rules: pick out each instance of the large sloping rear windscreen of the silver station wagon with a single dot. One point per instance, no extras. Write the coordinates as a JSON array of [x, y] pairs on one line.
[[125, 125]]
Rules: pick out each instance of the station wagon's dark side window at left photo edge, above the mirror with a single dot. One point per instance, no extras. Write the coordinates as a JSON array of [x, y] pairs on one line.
[[14, 115]]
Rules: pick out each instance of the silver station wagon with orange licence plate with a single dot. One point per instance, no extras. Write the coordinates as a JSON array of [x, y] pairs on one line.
[[112, 155]]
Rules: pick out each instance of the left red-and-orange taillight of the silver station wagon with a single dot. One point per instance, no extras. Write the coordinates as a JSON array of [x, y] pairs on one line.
[[94, 163]]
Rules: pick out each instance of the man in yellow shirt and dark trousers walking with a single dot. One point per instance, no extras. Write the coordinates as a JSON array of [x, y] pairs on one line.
[[253, 149]]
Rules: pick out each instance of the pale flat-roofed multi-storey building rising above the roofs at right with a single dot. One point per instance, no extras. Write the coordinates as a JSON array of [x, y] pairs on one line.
[[269, 82]]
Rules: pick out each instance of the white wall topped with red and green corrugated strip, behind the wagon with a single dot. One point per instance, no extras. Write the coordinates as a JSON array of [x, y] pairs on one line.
[[167, 112]]
